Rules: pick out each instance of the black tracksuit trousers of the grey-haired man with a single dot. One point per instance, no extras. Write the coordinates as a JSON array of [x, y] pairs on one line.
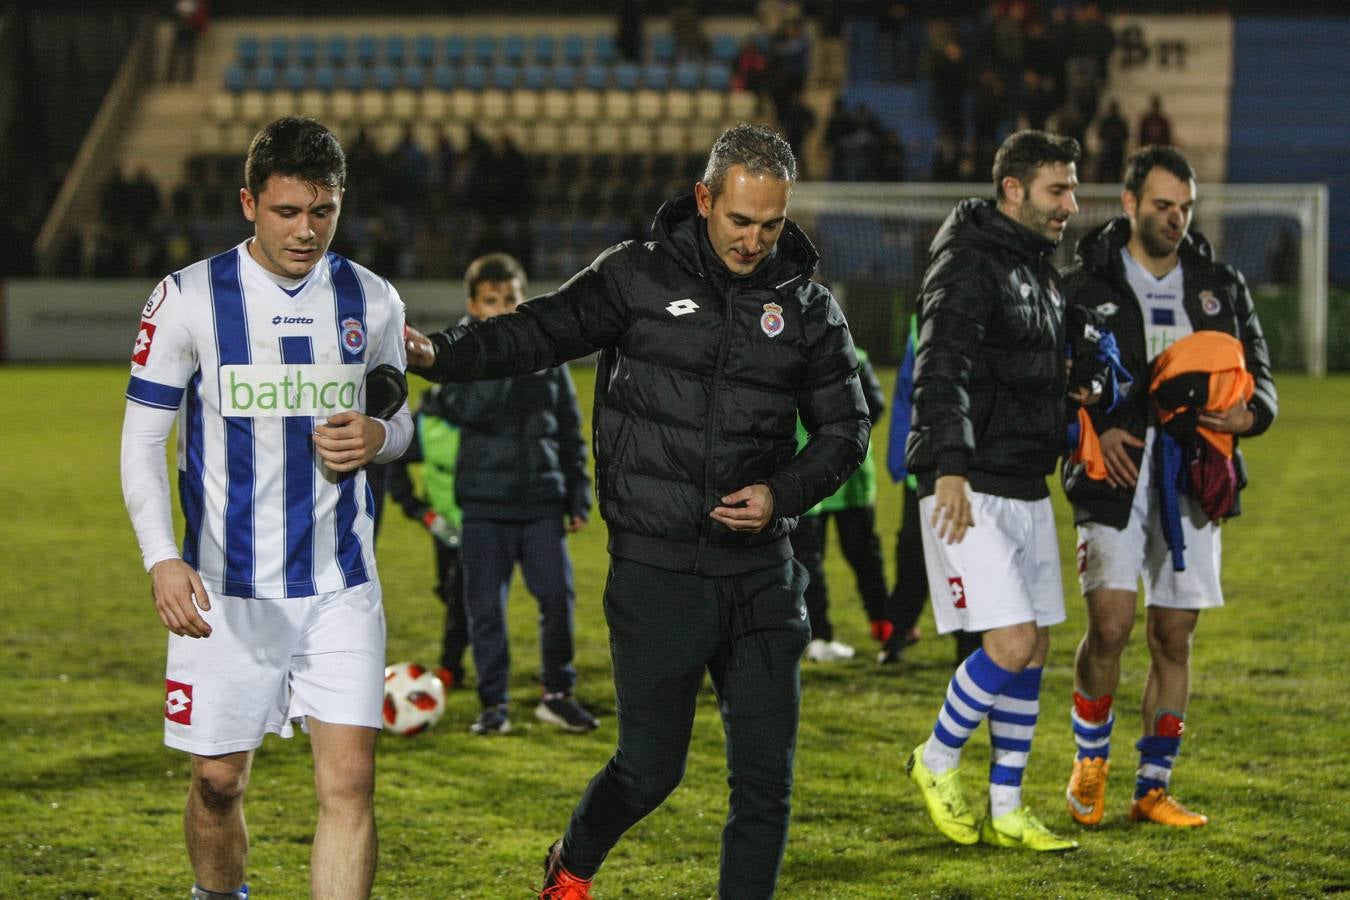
[[666, 631]]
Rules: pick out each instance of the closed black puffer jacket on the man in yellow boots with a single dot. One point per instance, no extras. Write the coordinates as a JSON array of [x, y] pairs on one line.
[[990, 368]]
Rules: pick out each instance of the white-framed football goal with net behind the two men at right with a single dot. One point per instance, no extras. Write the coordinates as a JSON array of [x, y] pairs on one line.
[[874, 241]]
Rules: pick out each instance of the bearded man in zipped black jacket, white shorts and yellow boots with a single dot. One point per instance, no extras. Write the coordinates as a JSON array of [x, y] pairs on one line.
[[990, 410]]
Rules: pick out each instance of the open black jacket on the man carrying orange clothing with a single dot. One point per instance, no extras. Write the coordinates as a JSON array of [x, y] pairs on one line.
[[1216, 299]]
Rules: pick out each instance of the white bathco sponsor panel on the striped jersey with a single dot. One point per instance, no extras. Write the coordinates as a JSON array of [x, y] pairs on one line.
[[265, 392]]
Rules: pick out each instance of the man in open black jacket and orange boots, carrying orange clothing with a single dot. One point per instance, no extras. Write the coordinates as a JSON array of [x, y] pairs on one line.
[[1156, 284]]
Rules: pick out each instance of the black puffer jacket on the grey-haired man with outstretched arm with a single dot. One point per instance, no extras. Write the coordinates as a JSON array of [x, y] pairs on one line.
[[699, 388]]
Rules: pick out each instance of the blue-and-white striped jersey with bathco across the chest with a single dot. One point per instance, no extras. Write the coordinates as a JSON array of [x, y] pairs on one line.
[[250, 368]]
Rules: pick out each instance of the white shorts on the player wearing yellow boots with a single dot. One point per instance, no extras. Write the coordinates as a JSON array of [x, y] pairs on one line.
[[1005, 571]]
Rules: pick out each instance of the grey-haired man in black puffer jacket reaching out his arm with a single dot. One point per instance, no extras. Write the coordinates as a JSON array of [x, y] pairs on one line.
[[713, 339]]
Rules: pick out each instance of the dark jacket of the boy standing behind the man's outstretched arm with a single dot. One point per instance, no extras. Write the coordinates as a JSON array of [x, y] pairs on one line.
[[522, 455]]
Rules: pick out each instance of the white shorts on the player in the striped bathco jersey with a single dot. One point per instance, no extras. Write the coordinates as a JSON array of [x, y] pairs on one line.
[[273, 662]]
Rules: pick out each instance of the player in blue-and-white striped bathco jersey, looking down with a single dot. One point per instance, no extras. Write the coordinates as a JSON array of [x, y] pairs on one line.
[[264, 357]]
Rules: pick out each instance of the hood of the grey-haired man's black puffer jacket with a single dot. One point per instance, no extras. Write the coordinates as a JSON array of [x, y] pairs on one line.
[[684, 234]]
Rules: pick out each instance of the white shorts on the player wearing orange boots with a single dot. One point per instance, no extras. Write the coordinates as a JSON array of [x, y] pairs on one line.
[[1117, 559]]
